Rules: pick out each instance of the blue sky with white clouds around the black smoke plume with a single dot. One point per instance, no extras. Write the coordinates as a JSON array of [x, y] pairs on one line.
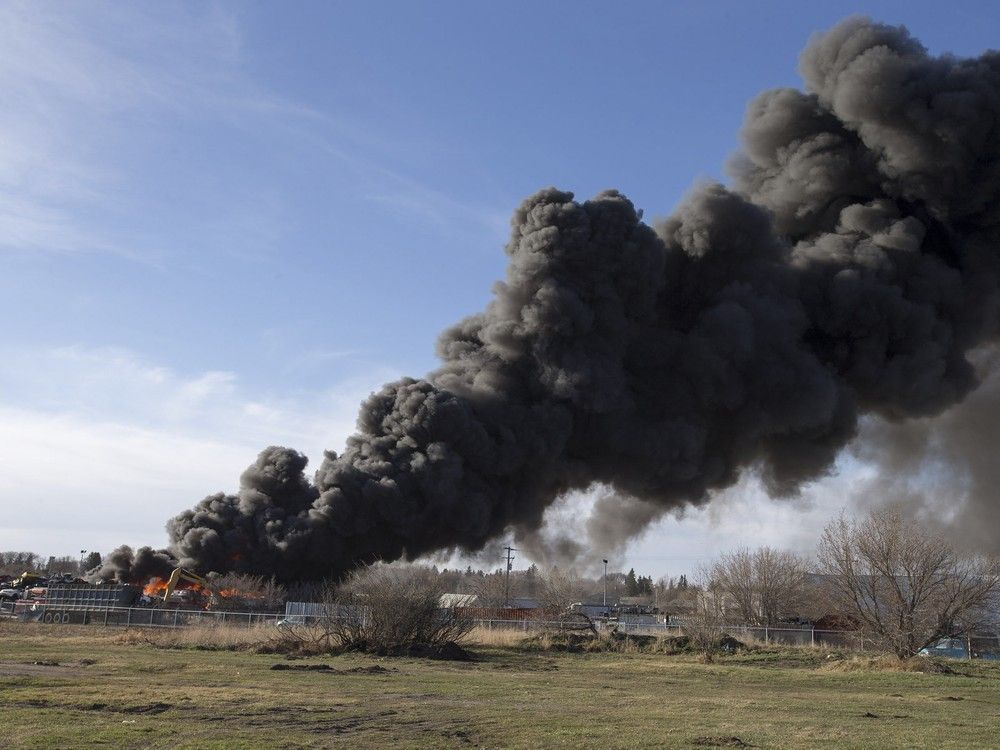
[[222, 225]]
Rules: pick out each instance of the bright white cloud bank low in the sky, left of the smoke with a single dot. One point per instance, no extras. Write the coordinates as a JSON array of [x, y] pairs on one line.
[[100, 446]]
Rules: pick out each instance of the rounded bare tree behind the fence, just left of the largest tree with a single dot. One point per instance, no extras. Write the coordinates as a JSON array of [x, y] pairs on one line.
[[763, 585]]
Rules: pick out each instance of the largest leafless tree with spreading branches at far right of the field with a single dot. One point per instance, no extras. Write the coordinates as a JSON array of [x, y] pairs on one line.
[[905, 584]]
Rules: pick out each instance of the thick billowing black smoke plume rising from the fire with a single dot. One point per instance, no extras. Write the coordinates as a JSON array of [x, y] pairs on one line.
[[848, 271]]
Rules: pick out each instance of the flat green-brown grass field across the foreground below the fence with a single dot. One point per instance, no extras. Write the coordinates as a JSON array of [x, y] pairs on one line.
[[90, 687]]
